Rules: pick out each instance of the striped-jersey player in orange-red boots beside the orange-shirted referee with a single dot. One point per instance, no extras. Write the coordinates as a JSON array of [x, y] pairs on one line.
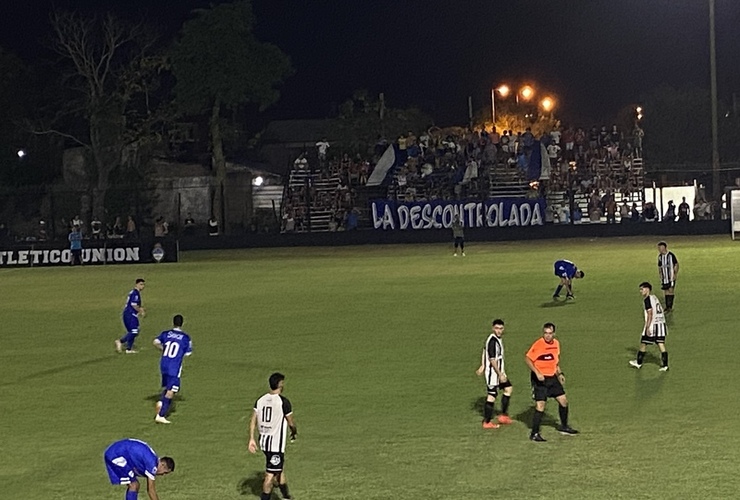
[[492, 366]]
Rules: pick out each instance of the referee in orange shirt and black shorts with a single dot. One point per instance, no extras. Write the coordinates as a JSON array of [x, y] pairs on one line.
[[543, 358]]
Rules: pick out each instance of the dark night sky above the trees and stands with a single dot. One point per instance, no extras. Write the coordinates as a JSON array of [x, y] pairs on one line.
[[595, 56]]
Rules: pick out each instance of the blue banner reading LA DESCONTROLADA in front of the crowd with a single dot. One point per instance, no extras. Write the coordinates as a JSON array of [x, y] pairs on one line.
[[496, 212]]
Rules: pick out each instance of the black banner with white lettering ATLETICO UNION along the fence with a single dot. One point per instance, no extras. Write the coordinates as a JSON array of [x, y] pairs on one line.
[[110, 252]]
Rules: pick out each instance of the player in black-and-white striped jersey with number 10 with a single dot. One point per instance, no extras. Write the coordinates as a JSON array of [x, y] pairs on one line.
[[273, 414]]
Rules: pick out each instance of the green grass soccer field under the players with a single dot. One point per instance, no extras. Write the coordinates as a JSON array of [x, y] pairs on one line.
[[379, 346]]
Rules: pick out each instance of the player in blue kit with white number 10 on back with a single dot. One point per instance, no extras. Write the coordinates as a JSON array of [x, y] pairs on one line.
[[175, 345]]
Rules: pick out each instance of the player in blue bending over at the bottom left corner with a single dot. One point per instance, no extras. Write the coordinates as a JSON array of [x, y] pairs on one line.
[[128, 459]]
